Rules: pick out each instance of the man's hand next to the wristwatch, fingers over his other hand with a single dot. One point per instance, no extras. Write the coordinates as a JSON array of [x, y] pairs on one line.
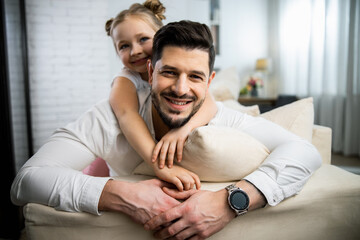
[[200, 216]]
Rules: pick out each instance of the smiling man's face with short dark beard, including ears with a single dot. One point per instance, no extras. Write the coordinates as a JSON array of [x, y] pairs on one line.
[[179, 80]]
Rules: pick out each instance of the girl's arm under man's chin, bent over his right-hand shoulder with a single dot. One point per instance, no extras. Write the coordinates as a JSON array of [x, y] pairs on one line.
[[173, 142]]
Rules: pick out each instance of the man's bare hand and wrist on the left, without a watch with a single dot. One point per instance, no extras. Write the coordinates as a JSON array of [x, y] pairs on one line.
[[141, 201]]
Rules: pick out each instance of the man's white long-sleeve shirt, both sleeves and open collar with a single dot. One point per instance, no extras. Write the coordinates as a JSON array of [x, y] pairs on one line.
[[53, 175]]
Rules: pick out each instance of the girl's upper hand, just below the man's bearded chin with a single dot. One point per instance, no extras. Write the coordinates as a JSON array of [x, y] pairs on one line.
[[171, 143]]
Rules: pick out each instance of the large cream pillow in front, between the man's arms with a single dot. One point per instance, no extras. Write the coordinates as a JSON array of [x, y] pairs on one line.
[[218, 154]]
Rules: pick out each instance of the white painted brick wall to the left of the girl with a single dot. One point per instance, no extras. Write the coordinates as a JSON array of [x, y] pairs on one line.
[[68, 61]]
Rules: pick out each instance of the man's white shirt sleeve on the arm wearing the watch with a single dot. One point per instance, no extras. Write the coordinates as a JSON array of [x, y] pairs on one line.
[[291, 161]]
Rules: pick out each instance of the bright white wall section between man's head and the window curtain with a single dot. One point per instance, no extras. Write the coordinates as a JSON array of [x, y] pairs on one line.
[[243, 34]]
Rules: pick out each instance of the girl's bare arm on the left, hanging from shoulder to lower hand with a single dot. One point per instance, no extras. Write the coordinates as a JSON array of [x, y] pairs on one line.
[[124, 102]]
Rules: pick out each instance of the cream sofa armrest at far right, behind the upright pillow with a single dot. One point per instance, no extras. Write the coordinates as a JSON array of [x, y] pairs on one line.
[[322, 141]]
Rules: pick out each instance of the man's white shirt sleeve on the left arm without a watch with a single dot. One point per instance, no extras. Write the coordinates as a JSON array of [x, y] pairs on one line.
[[53, 175]]
